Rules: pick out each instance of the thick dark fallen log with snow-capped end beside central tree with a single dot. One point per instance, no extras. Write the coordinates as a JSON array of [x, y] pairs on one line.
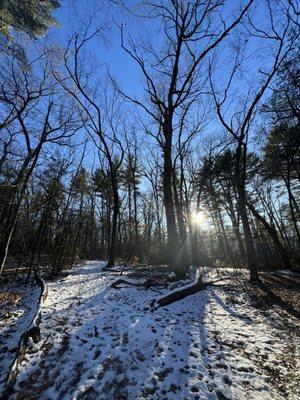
[[182, 292]]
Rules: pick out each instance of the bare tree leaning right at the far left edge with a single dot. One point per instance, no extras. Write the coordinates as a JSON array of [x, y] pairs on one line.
[[40, 115]]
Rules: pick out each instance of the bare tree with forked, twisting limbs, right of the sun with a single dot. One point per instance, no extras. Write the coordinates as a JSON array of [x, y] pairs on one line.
[[278, 36]]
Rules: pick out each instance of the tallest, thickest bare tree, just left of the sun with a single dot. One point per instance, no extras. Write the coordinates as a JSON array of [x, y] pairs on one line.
[[172, 73]]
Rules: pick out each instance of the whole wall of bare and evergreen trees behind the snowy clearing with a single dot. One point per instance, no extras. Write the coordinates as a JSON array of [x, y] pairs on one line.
[[200, 170]]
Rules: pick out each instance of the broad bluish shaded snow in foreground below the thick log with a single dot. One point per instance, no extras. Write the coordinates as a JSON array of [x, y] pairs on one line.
[[120, 353]]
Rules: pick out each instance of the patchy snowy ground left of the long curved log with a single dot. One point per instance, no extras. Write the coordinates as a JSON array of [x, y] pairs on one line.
[[18, 305]]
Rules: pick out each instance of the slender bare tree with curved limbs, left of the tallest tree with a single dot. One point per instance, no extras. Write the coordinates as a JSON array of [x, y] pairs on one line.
[[100, 116]]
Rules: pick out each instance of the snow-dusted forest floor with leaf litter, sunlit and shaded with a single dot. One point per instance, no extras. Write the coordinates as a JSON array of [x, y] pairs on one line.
[[231, 341]]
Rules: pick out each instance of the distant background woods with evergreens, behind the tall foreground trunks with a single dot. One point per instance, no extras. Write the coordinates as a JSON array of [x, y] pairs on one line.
[[68, 215]]
